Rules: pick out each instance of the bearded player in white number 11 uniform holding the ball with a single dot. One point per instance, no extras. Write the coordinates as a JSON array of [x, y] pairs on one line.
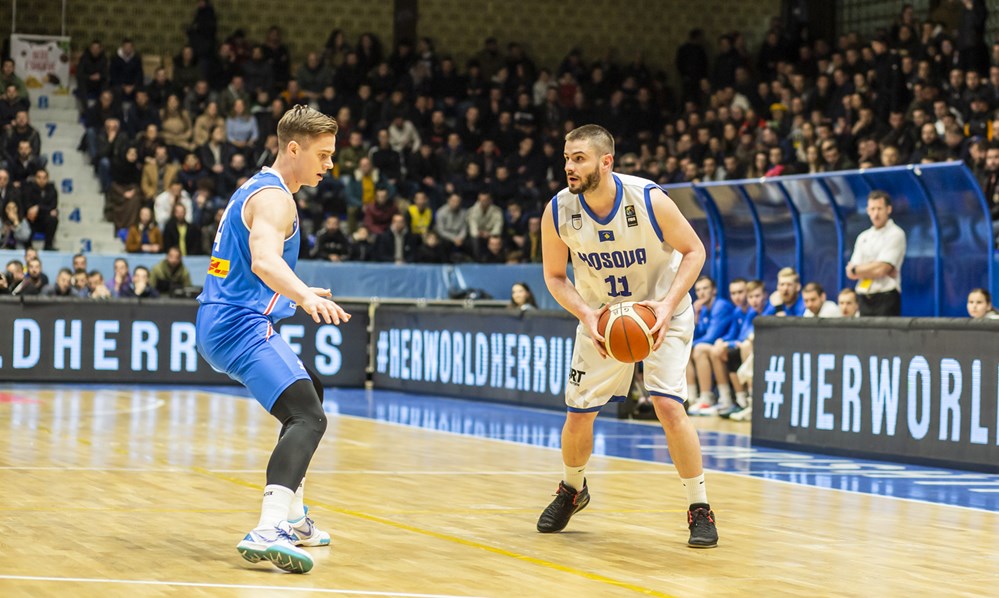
[[627, 242]]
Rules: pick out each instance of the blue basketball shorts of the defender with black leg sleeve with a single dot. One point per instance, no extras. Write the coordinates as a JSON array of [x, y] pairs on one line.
[[242, 344]]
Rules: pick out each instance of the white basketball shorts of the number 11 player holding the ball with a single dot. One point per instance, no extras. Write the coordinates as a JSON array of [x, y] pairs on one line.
[[595, 381]]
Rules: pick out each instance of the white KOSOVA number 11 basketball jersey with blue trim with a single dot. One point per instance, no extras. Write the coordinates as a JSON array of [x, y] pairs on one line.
[[621, 257]]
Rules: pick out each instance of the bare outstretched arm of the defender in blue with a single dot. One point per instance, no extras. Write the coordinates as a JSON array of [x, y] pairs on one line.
[[269, 214]]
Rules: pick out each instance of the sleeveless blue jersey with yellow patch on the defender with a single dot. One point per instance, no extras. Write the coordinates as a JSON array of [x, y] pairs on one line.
[[230, 280]]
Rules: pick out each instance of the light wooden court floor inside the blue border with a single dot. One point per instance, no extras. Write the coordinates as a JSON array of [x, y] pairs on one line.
[[145, 493]]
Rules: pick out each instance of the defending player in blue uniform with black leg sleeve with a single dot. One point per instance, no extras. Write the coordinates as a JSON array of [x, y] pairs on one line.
[[251, 285]]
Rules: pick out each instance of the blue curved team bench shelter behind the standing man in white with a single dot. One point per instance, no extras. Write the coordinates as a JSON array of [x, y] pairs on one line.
[[752, 228]]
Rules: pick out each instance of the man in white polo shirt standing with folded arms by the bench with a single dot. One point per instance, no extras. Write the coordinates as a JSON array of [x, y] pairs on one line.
[[876, 263]]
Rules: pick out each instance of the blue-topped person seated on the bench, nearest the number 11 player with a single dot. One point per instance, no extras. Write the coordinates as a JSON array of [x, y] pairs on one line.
[[713, 319]]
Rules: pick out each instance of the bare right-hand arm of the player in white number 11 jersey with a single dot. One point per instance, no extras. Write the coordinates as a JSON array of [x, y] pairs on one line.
[[677, 233]]
